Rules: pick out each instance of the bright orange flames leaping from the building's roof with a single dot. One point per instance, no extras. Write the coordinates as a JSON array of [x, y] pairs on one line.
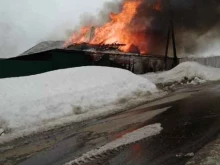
[[120, 29]]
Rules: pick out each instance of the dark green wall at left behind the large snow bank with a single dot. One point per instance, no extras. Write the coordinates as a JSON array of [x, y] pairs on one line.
[[42, 62]]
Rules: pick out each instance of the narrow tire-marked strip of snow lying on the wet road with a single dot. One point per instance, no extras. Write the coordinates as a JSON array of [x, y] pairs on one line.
[[130, 138]]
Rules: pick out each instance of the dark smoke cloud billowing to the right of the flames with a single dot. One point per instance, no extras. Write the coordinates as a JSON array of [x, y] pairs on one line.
[[196, 23]]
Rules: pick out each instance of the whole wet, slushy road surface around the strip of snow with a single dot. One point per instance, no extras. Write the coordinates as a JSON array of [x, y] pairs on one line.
[[190, 121]]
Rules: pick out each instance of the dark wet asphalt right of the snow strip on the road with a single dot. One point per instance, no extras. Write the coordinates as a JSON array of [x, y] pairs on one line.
[[188, 125]]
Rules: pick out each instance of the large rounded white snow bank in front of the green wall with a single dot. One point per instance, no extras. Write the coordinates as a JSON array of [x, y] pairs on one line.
[[28, 102]]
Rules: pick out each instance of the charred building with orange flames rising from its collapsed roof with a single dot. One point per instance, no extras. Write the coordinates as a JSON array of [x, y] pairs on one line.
[[128, 35]]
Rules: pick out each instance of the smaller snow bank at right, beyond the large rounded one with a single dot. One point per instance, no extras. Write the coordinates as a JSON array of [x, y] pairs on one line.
[[186, 70]]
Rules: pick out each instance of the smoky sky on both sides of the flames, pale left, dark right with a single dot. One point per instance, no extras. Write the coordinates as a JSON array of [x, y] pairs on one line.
[[25, 23]]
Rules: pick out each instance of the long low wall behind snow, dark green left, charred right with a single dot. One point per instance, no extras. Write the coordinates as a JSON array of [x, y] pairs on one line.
[[61, 59]]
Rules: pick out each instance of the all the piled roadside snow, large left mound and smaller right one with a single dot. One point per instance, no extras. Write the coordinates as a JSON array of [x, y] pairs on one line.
[[33, 103]]
